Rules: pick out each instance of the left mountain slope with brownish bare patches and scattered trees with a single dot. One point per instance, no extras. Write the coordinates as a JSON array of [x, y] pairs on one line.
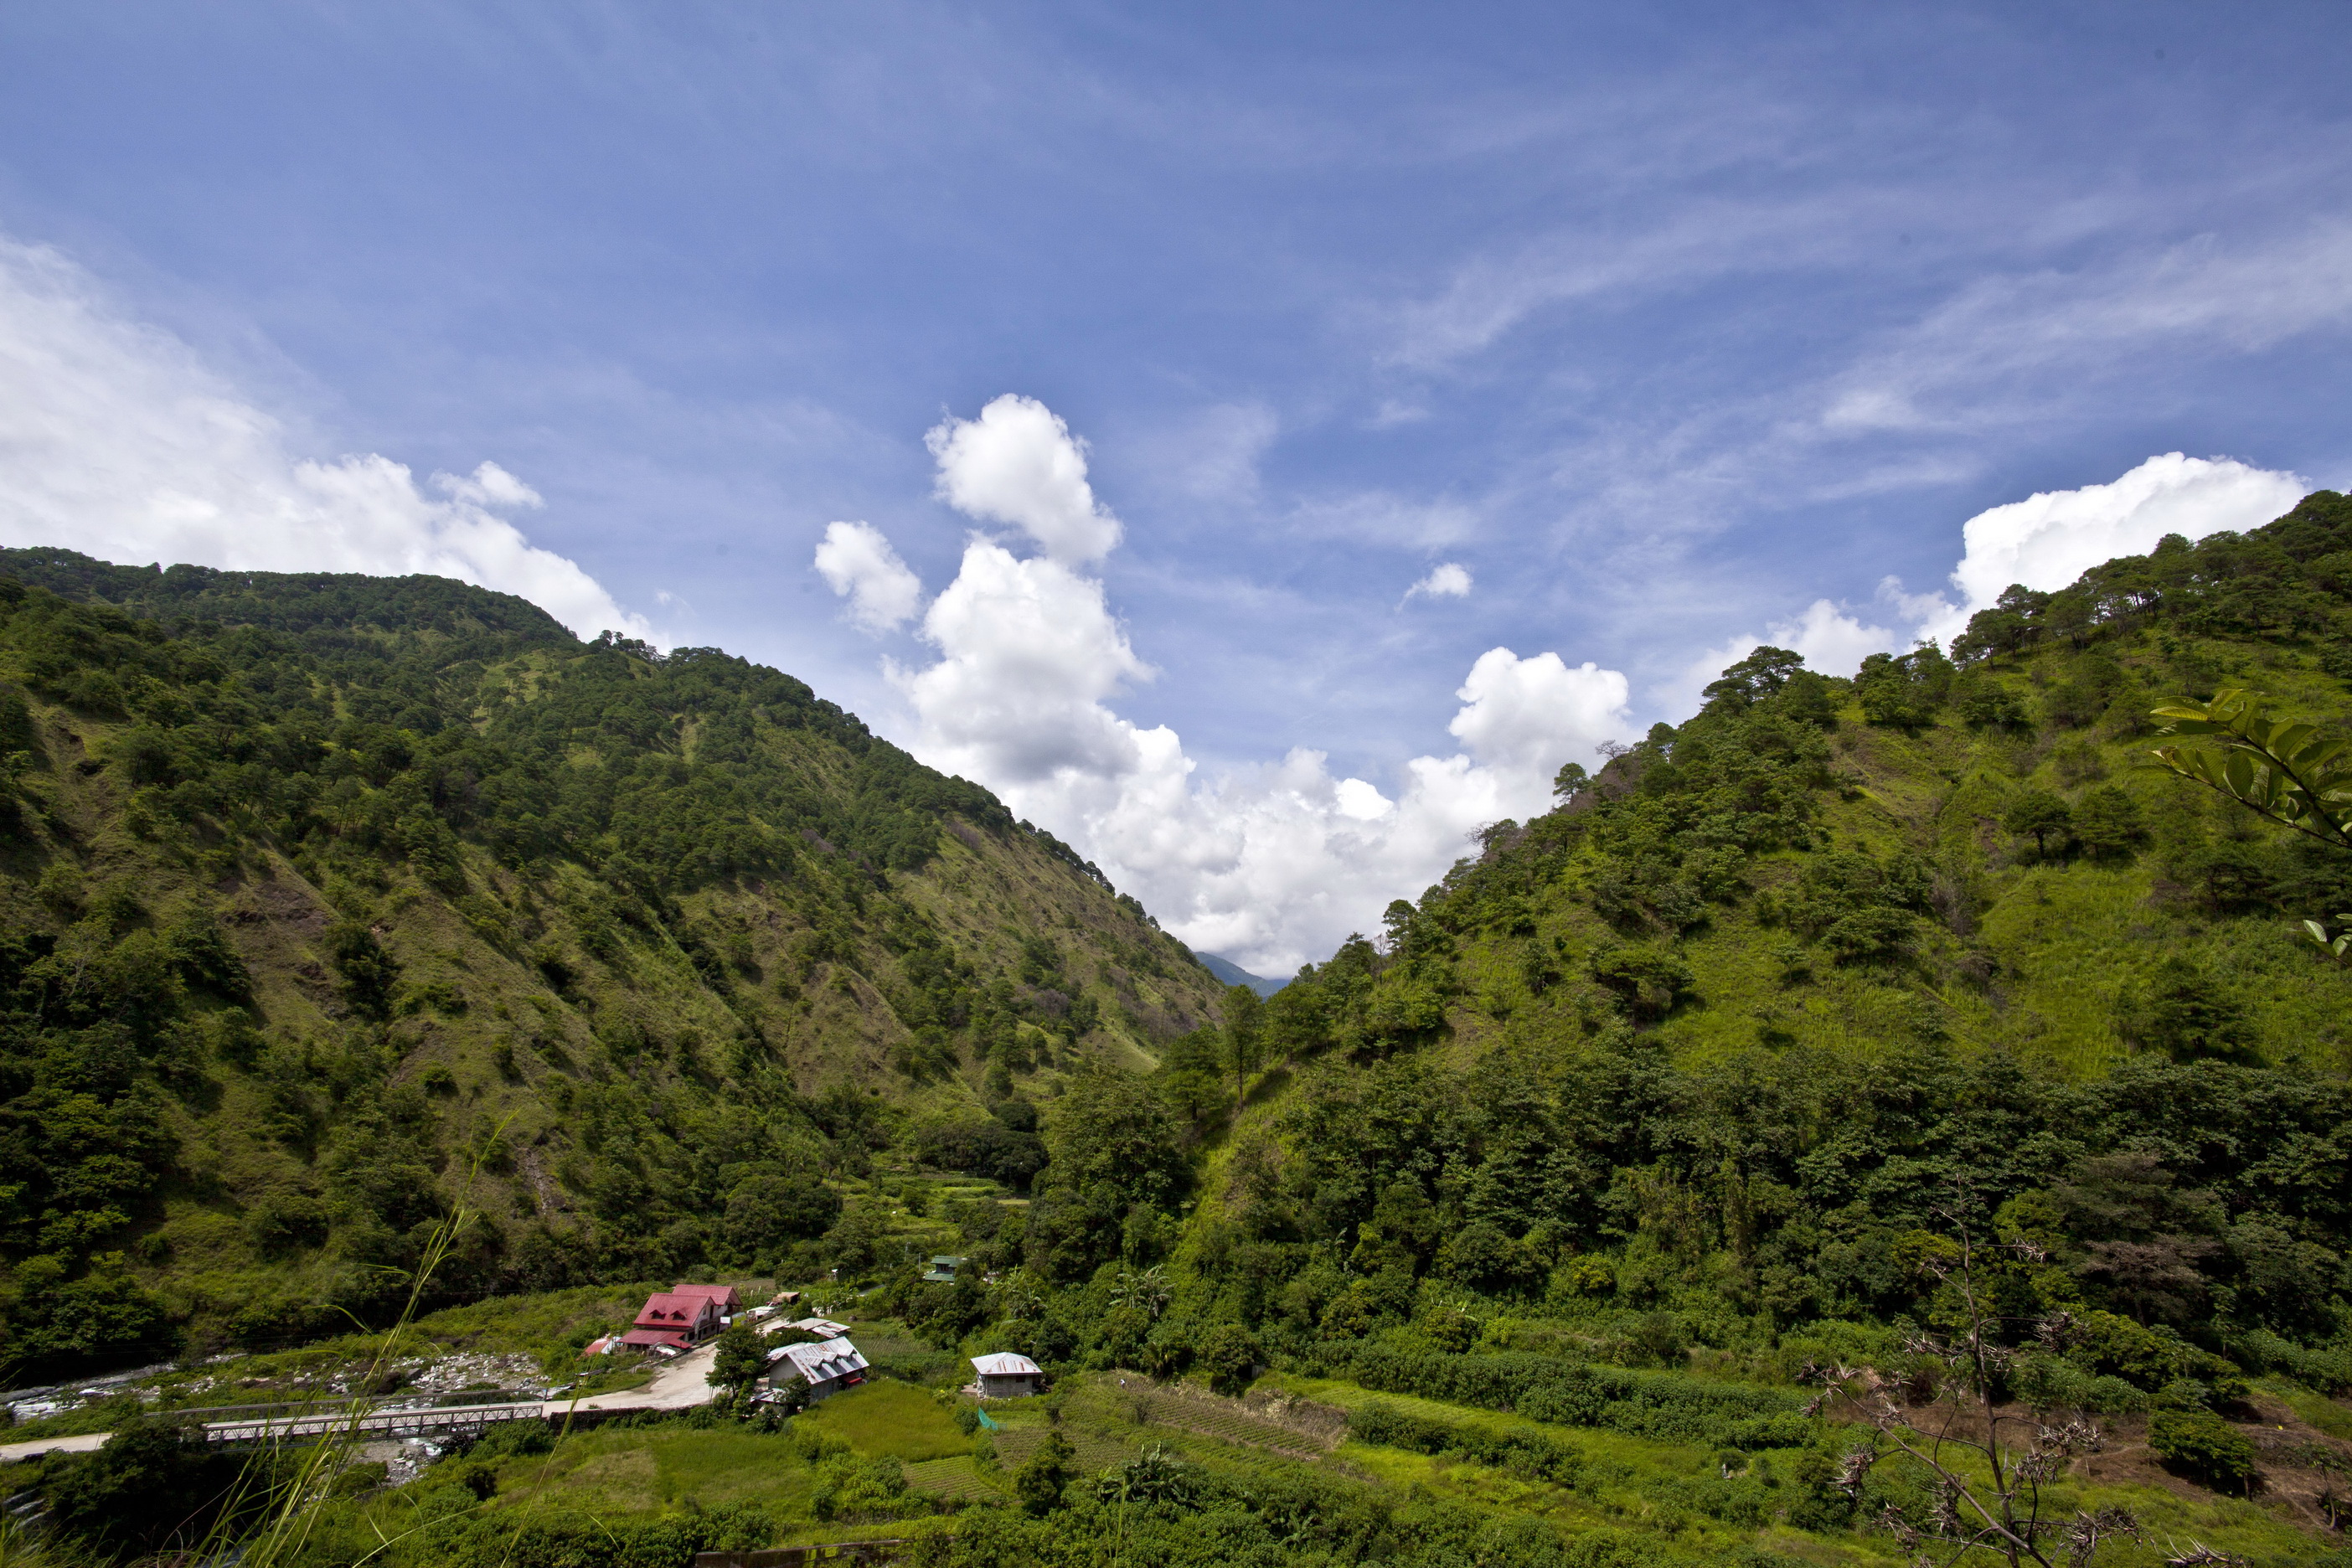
[[326, 899]]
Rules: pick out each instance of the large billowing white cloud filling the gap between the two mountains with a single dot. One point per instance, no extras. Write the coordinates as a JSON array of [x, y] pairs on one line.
[[1264, 864]]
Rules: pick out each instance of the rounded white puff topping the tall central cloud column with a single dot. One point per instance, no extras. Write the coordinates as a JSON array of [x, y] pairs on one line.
[[1020, 464]]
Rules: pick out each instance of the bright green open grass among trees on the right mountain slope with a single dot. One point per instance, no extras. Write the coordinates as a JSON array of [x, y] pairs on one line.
[[2064, 939]]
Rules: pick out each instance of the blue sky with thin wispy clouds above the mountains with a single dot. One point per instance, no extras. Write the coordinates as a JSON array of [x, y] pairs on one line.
[[1662, 323]]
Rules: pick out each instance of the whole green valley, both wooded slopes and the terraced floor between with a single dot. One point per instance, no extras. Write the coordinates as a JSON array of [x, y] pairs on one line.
[[1855, 1061]]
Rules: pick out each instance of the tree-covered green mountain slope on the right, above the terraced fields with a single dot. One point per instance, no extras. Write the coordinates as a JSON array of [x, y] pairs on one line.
[[1716, 1052]]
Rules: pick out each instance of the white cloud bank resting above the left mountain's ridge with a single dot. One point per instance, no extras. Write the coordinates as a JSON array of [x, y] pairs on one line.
[[119, 443]]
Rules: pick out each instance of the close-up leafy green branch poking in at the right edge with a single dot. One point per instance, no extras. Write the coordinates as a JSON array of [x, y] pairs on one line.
[[2290, 772]]
